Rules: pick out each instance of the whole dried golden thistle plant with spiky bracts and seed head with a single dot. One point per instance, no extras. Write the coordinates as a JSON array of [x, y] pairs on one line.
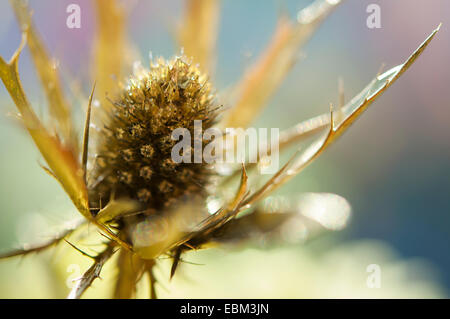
[[144, 204]]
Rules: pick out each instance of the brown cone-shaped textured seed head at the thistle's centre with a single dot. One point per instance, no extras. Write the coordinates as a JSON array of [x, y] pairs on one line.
[[134, 148]]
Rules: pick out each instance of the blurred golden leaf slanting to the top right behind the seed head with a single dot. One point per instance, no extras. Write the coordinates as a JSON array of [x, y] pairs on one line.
[[266, 75]]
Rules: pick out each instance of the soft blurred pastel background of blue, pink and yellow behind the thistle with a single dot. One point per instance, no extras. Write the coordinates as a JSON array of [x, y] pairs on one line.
[[393, 165]]
